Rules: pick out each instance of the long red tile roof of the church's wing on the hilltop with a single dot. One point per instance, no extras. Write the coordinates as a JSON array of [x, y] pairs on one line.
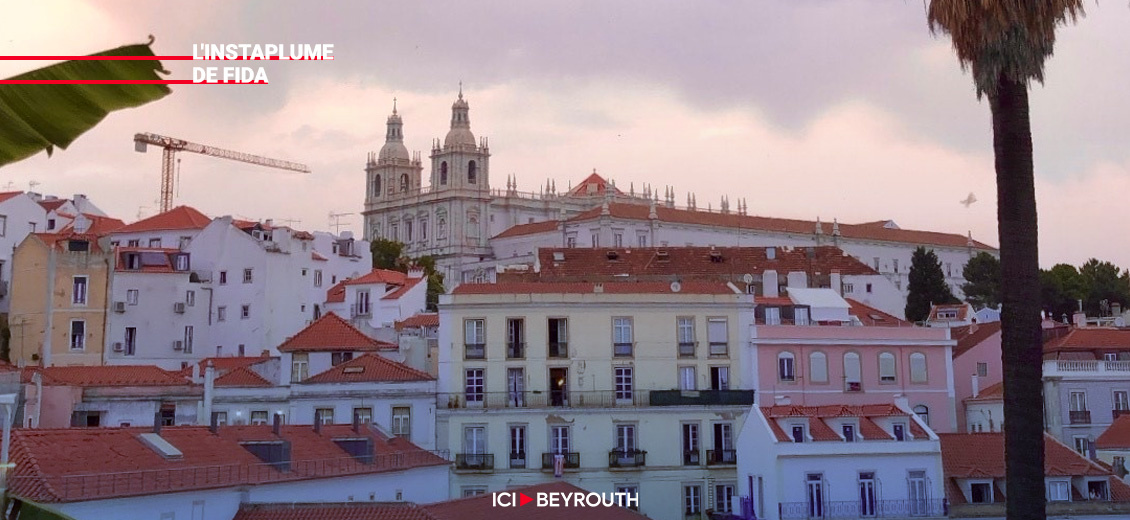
[[871, 232]]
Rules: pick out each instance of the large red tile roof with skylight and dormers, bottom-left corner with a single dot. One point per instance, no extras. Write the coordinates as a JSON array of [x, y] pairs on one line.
[[71, 465]]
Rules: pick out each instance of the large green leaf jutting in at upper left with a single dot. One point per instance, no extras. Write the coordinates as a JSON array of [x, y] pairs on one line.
[[44, 117]]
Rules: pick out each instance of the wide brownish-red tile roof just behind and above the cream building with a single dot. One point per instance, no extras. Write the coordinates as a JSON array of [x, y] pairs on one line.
[[692, 263]]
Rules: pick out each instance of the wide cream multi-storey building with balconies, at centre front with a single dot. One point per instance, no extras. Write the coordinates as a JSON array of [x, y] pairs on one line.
[[633, 386]]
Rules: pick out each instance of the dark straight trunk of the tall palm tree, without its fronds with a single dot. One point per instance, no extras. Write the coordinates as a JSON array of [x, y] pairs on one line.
[[1022, 342]]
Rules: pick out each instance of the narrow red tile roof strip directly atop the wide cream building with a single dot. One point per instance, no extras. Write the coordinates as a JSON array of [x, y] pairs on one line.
[[584, 288]]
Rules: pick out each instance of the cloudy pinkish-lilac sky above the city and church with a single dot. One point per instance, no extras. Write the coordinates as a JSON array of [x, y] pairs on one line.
[[831, 109]]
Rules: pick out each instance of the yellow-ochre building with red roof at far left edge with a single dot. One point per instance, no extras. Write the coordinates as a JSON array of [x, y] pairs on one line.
[[59, 291]]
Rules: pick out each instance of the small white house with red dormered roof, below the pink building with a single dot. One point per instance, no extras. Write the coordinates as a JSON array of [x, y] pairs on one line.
[[839, 462]]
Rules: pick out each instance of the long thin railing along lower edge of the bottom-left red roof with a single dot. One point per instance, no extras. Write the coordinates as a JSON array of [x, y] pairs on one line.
[[149, 482]]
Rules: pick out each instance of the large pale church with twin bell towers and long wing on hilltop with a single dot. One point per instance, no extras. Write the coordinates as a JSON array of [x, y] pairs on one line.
[[475, 231]]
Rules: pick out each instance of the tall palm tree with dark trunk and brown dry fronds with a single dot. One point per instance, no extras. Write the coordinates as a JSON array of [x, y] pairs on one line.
[[1005, 44]]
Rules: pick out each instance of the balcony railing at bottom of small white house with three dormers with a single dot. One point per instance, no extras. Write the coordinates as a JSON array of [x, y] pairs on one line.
[[858, 509]]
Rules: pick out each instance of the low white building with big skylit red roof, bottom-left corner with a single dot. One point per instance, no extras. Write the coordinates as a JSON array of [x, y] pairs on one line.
[[202, 473]]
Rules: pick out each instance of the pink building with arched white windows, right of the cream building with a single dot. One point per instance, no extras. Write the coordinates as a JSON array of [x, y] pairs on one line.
[[830, 354]]
